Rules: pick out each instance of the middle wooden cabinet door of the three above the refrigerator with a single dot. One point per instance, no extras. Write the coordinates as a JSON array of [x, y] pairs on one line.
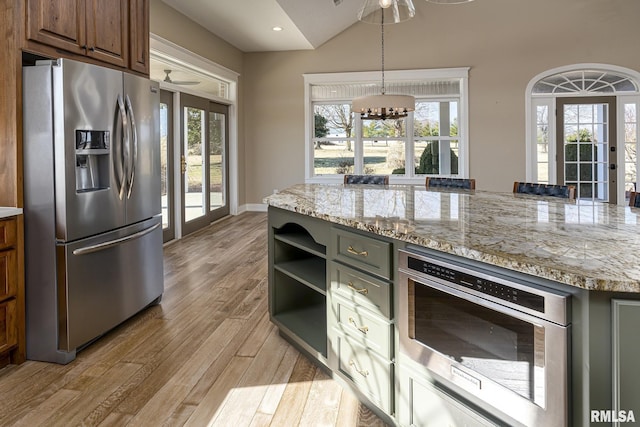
[[108, 31]]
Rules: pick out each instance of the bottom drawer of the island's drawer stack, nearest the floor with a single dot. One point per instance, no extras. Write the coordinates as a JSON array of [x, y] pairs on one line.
[[370, 374]]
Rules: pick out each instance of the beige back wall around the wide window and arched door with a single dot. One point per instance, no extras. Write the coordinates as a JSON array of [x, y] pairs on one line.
[[505, 42]]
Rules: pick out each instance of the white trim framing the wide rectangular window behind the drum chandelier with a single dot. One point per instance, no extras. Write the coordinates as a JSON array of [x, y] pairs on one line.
[[461, 73]]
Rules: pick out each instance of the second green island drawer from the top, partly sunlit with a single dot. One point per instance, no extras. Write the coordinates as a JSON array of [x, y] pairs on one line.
[[361, 289]]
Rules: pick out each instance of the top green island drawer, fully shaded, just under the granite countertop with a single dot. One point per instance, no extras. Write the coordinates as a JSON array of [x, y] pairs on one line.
[[363, 252]]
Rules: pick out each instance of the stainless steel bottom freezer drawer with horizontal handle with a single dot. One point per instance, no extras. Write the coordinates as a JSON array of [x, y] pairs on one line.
[[106, 279]]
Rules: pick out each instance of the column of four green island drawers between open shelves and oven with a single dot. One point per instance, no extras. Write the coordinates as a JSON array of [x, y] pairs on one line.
[[360, 318]]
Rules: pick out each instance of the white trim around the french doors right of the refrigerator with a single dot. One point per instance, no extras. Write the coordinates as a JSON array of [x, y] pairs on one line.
[[163, 48]]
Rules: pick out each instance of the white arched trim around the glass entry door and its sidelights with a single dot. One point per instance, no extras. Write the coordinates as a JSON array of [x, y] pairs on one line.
[[532, 100]]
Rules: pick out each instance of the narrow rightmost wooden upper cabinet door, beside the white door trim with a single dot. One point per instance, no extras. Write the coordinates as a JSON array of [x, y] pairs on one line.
[[139, 33]]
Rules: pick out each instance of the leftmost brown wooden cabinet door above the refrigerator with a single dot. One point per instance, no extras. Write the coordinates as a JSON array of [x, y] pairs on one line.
[[59, 23]]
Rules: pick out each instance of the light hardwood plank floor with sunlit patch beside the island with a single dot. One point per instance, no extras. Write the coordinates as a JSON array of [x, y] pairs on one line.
[[207, 355]]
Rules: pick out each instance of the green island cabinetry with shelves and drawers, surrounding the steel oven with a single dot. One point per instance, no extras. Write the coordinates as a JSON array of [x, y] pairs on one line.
[[332, 294]]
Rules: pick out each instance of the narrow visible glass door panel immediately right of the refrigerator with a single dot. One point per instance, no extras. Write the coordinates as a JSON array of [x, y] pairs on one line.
[[166, 165]]
